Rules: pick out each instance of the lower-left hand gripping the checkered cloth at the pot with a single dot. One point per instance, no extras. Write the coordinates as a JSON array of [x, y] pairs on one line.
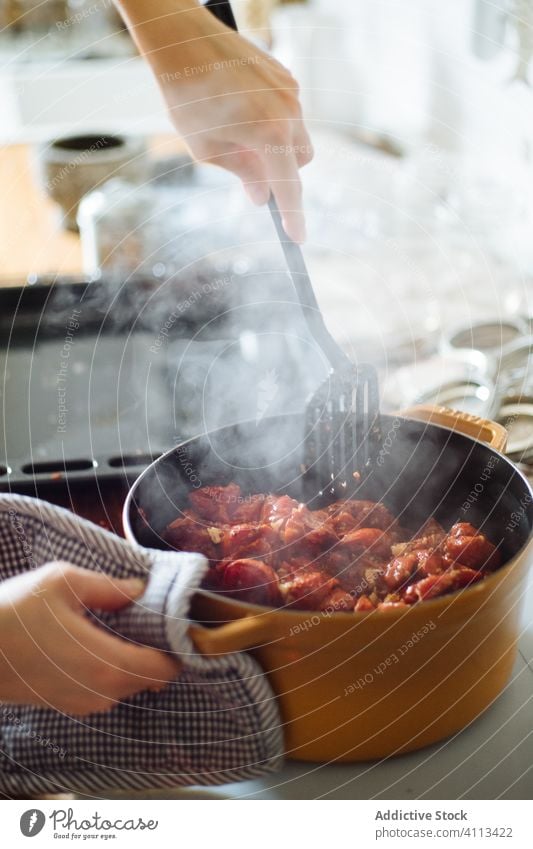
[[52, 655]]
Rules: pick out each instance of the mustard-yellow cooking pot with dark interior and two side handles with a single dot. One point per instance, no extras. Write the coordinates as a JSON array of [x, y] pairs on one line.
[[358, 686]]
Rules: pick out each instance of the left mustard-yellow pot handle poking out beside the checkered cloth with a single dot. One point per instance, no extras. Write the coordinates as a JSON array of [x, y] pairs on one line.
[[238, 635]]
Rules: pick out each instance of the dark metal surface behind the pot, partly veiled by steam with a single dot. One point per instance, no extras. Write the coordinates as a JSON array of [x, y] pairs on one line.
[[103, 376]]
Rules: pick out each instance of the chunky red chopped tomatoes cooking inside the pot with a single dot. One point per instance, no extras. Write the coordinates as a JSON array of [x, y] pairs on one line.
[[353, 556]]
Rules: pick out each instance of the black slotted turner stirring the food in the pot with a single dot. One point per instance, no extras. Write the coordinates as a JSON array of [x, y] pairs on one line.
[[343, 432]]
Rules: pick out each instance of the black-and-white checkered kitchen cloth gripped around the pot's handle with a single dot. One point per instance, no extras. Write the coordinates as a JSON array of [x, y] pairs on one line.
[[217, 722]]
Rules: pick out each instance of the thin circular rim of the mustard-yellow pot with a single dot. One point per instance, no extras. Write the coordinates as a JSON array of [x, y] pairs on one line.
[[248, 608]]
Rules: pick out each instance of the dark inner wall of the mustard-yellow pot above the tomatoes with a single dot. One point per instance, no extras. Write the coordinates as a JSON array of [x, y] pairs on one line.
[[424, 470]]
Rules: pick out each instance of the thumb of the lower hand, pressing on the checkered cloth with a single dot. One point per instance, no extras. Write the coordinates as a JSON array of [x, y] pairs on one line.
[[96, 590]]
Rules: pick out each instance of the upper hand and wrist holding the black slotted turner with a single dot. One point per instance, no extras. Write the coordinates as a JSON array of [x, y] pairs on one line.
[[233, 104]]
